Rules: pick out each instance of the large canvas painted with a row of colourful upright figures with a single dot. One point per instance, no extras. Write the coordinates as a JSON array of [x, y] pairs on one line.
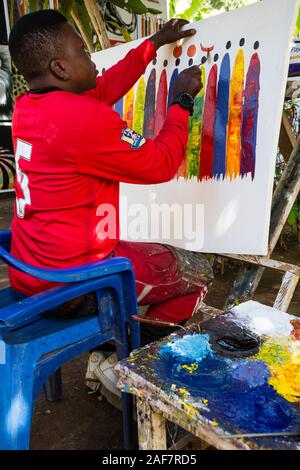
[[223, 189]]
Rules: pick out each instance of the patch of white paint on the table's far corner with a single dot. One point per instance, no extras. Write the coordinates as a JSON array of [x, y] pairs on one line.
[[263, 320]]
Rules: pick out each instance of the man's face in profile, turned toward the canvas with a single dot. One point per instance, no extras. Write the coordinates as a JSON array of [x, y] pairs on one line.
[[81, 70]]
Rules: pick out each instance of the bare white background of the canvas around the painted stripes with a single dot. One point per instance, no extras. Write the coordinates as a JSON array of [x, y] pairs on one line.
[[234, 213]]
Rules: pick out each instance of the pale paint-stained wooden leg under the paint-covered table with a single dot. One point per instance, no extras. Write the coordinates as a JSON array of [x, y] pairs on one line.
[[151, 427]]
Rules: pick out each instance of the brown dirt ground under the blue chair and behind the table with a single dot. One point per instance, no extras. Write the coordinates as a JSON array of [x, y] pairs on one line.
[[80, 420]]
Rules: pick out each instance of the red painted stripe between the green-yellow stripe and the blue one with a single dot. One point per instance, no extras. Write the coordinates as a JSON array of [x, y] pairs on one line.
[[207, 135]]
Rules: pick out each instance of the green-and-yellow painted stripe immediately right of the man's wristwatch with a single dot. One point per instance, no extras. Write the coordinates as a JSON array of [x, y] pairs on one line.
[[195, 128]]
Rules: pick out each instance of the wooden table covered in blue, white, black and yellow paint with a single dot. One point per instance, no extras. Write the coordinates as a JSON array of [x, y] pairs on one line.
[[234, 374]]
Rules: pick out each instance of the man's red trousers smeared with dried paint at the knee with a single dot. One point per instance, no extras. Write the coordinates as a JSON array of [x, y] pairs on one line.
[[172, 281]]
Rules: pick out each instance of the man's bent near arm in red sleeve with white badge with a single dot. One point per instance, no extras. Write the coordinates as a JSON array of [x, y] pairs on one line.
[[112, 151]]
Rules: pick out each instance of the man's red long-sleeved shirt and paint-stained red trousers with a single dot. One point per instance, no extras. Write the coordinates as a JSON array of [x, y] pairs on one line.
[[71, 153]]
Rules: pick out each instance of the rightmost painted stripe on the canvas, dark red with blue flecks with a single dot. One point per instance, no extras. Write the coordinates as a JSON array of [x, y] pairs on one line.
[[250, 114]]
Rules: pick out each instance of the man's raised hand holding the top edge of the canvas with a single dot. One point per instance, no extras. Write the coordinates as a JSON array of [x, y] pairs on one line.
[[171, 32]]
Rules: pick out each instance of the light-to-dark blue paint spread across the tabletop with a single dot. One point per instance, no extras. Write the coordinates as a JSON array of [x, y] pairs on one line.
[[237, 390]]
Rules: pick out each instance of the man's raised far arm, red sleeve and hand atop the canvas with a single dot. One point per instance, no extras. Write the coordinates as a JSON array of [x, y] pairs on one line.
[[120, 78]]
